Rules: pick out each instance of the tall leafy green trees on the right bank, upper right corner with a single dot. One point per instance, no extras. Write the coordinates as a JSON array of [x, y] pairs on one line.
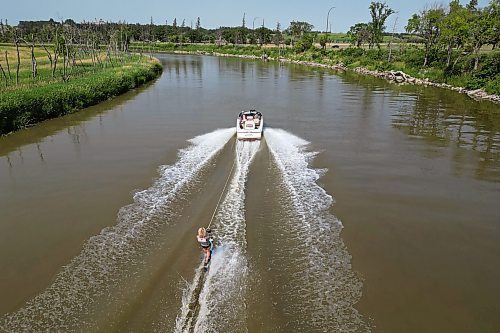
[[454, 27]]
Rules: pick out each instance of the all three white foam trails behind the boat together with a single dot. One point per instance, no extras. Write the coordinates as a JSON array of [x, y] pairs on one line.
[[321, 286]]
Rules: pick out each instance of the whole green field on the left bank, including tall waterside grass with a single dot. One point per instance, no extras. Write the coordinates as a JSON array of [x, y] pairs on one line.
[[82, 83]]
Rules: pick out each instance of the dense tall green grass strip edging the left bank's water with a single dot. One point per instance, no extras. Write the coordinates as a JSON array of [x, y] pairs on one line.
[[26, 105]]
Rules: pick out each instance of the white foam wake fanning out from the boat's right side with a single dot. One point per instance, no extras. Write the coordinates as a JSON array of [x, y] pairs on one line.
[[326, 288]]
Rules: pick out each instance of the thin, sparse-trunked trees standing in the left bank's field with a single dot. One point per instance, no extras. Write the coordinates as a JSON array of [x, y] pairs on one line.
[[68, 47]]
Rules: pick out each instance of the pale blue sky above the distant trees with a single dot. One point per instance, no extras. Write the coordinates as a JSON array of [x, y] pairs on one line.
[[217, 13]]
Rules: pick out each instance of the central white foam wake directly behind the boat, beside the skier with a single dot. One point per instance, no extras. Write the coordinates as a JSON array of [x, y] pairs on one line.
[[221, 305]]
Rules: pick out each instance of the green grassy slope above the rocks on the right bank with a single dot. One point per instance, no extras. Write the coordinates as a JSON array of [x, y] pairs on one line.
[[406, 58]]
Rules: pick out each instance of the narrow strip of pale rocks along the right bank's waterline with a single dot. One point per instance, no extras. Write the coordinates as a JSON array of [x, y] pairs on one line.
[[398, 77]]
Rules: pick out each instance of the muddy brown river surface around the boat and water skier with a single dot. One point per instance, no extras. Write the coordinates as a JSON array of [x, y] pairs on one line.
[[367, 207]]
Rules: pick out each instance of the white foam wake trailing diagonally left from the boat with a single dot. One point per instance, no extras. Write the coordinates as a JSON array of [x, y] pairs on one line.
[[112, 256]]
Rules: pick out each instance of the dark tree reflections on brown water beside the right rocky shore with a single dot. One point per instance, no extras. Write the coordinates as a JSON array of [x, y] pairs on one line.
[[442, 118]]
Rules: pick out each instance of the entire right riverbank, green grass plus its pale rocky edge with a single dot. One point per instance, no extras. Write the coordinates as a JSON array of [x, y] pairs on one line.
[[479, 86]]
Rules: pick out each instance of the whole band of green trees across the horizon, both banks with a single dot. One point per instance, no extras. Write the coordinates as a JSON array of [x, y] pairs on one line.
[[455, 30]]
